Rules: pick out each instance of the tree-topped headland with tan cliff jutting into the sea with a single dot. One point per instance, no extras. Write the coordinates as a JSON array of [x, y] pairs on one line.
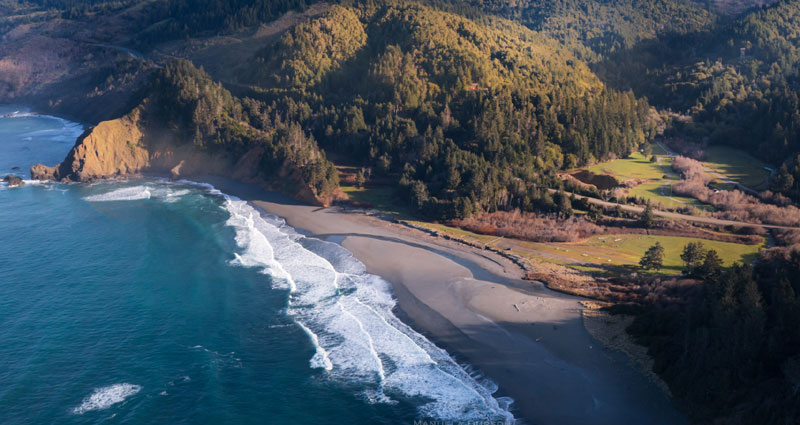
[[187, 125]]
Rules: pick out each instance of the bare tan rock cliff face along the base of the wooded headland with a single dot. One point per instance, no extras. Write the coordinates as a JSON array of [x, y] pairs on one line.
[[131, 146]]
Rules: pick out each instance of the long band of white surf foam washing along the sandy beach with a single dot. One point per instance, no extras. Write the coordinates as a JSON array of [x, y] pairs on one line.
[[347, 314]]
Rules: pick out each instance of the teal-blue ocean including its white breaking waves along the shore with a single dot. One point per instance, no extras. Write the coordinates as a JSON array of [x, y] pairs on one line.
[[146, 301]]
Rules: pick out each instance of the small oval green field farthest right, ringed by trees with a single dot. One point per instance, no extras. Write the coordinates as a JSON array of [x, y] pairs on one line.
[[738, 166]]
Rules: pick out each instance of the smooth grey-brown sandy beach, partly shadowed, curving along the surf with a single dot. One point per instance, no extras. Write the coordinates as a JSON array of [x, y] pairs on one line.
[[529, 340]]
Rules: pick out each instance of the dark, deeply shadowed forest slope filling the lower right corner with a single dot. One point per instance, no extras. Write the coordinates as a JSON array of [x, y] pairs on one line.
[[731, 355]]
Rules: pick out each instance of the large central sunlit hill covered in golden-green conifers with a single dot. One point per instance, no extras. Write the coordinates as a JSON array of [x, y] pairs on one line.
[[466, 116]]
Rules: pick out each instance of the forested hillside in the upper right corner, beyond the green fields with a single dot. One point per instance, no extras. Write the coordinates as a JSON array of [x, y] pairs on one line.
[[738, 85]]
